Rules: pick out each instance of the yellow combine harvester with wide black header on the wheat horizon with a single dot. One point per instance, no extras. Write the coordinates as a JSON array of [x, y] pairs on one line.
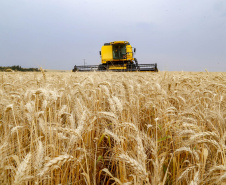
[[117, 56]]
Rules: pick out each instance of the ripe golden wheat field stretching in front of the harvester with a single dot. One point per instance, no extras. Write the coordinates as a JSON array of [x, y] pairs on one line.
[[113, 128]]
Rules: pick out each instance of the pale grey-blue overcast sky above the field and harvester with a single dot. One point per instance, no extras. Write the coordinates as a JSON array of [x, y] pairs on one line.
[[188, 35]]
